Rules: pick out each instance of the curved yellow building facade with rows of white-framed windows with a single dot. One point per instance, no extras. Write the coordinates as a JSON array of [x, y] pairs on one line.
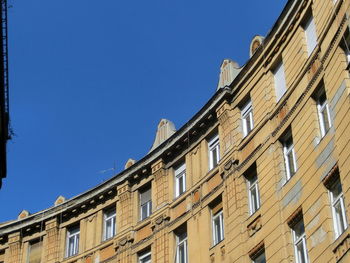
[[260, 174]]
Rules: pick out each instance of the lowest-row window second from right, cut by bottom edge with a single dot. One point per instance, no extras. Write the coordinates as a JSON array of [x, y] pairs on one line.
[[299, 239]]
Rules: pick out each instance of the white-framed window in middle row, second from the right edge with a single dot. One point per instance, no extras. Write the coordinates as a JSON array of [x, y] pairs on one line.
[[323, 112]]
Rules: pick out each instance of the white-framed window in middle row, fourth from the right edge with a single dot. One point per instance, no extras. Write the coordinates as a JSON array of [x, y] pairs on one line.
[[253, 189]]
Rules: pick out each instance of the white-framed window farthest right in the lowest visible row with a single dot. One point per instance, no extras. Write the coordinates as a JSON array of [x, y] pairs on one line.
[[338, 208]]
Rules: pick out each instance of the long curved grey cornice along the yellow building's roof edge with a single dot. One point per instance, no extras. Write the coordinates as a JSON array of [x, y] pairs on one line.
[[217, 98]]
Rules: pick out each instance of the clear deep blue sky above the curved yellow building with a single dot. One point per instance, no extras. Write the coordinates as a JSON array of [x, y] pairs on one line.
[[90, 80]]
